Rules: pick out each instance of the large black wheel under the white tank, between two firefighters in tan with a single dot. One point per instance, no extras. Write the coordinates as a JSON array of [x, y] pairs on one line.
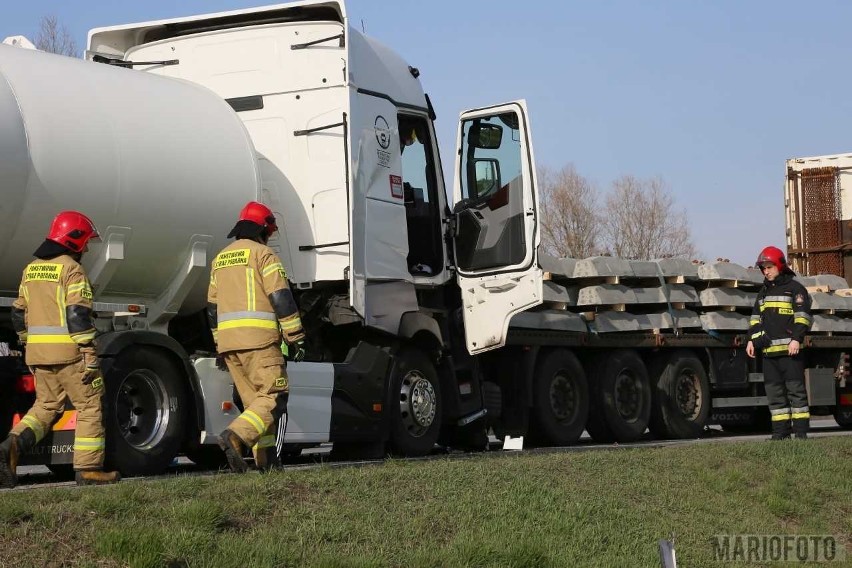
[[145, 411]]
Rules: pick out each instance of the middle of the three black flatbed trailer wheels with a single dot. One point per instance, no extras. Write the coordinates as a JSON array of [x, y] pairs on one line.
[[621, 398]]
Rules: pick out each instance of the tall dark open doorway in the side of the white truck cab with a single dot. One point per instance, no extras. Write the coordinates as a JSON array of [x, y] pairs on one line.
[[425, 250]]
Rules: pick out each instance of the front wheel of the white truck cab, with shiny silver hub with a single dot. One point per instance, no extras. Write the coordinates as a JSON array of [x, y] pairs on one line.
[[415, 404]]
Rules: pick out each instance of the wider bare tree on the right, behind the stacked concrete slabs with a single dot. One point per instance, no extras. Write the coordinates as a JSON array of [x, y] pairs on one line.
[[642, 222]]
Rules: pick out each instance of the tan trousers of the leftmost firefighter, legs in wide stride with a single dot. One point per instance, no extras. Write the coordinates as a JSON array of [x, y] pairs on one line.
[[53, 384]]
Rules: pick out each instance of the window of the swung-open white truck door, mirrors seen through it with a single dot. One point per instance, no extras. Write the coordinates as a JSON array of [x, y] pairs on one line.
[[490, 231]]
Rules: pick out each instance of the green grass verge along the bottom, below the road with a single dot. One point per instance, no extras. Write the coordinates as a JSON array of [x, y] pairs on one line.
[[601, 508]]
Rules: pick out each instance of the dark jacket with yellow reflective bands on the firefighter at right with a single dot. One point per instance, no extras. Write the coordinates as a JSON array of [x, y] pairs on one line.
[[781, 314]]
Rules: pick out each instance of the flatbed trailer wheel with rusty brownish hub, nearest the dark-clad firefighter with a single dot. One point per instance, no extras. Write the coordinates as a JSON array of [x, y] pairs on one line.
[[681, 398]]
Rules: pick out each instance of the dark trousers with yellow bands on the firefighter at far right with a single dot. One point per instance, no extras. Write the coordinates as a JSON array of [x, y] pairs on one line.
[[784, 379]]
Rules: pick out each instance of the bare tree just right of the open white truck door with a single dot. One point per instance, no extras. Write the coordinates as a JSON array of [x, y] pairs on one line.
[[570, 223]]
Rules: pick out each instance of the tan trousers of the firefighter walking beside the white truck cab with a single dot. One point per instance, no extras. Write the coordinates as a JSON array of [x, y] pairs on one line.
[[261, 381]]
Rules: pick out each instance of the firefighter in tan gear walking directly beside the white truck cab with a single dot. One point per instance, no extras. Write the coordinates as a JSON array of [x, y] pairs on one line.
[[255, 323]]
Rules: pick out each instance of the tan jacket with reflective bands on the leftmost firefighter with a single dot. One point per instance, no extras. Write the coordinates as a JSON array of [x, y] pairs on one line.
[[53, 312]]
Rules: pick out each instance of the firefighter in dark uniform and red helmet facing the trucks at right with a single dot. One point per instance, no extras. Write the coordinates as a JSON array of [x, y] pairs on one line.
[[779, 322]]
